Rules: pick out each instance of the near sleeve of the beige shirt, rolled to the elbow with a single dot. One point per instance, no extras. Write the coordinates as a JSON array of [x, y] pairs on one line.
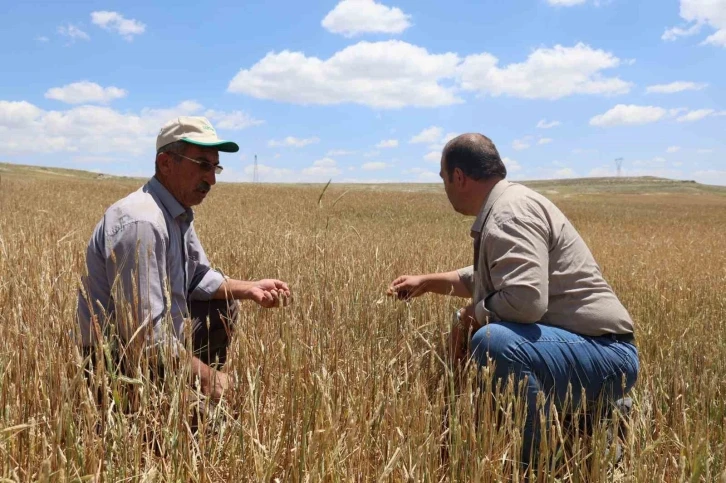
[[518, 258]]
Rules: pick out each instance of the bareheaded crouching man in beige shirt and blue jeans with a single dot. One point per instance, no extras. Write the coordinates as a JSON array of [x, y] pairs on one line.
[[541, 309]]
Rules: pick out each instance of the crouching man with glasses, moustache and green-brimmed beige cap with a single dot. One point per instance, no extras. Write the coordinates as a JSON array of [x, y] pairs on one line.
[[146, 264]]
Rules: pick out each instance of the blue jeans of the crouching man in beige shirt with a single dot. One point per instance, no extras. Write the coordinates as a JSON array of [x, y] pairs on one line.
[[551, 358]]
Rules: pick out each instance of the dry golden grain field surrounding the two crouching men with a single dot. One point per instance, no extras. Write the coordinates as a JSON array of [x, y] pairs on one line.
[[347, 385]]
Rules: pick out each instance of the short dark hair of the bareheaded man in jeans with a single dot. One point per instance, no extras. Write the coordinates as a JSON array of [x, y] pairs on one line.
[[475, 155]]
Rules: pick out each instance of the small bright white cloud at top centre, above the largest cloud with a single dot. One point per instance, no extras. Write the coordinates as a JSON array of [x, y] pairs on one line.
[[355, 17]]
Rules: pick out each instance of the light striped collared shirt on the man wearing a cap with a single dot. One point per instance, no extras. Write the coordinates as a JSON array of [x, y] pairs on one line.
[[144, 254]]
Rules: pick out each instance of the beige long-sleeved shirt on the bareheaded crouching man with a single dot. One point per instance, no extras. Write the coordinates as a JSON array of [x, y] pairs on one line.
[[533, 266]]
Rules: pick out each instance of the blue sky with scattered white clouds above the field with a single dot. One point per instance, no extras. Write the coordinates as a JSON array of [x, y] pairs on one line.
[[361, 90]]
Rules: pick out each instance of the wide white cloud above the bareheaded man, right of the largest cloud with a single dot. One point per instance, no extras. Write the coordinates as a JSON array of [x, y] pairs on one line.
[[548, 73]]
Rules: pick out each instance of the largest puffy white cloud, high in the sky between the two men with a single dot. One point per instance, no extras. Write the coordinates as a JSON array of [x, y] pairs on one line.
[[387, 75]]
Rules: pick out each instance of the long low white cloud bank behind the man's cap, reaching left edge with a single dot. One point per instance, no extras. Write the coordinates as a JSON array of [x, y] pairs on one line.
[[87, 129]]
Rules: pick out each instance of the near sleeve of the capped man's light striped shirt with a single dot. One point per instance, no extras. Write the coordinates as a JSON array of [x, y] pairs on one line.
[[136, 271]]
